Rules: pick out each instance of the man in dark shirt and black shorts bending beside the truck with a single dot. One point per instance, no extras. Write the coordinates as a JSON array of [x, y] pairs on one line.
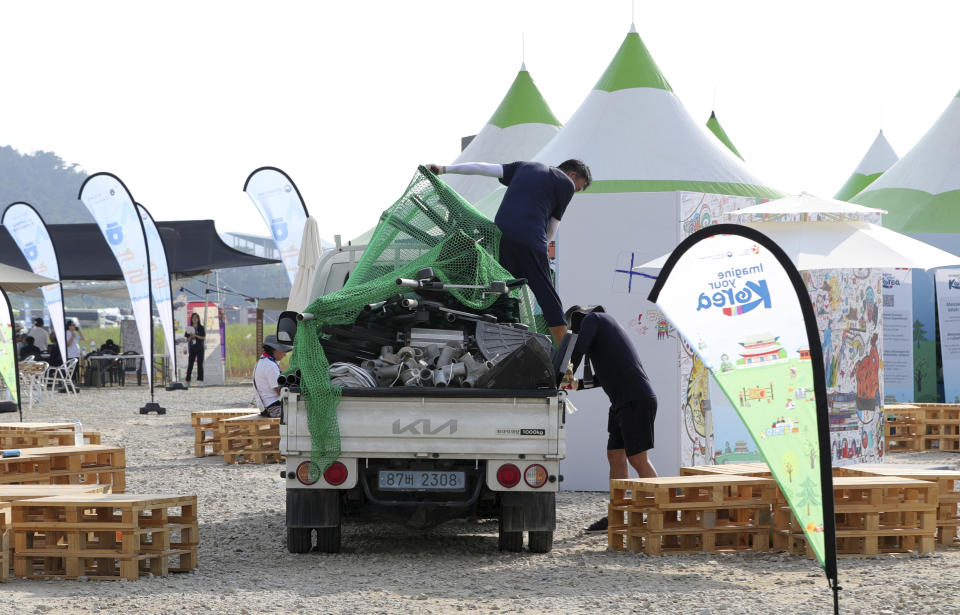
[[633, 404]]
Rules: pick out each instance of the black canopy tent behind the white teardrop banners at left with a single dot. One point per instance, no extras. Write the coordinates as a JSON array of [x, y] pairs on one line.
[[193, 247]]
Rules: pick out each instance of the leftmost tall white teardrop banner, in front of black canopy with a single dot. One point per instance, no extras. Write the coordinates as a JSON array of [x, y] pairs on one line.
[[30, 234]]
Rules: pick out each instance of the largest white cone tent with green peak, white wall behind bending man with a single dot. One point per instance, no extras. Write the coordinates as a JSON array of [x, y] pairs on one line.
[[647, 156]]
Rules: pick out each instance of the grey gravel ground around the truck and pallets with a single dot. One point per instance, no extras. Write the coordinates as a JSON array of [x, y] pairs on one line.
[[245, 567]]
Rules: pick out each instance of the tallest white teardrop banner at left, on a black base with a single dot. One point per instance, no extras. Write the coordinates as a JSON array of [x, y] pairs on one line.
[[113, 209]]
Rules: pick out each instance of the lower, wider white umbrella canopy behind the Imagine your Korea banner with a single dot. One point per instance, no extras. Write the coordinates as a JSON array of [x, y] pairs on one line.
[[844, 245]]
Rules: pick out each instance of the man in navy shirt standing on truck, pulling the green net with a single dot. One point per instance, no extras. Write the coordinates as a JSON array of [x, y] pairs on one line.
[[537, 196]]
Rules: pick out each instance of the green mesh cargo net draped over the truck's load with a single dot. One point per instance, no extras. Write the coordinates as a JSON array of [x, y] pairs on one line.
[[429, 226]]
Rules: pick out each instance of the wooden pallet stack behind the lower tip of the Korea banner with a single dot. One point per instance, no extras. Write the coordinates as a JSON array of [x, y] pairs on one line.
[[874, 514]]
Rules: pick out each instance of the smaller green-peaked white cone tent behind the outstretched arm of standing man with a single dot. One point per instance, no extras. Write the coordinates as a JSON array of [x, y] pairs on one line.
[[518, 129]]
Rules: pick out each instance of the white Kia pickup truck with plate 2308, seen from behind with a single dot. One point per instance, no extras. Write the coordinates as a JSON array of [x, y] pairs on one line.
[[425, 455]]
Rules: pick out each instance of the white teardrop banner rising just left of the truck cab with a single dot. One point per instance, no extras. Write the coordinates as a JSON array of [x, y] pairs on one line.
[[279, 202]]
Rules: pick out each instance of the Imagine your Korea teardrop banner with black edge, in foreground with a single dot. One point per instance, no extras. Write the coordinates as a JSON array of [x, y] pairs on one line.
[[743, 308]]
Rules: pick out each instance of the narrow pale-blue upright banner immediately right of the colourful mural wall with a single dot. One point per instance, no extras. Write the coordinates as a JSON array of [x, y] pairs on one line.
[[898, 335]]
